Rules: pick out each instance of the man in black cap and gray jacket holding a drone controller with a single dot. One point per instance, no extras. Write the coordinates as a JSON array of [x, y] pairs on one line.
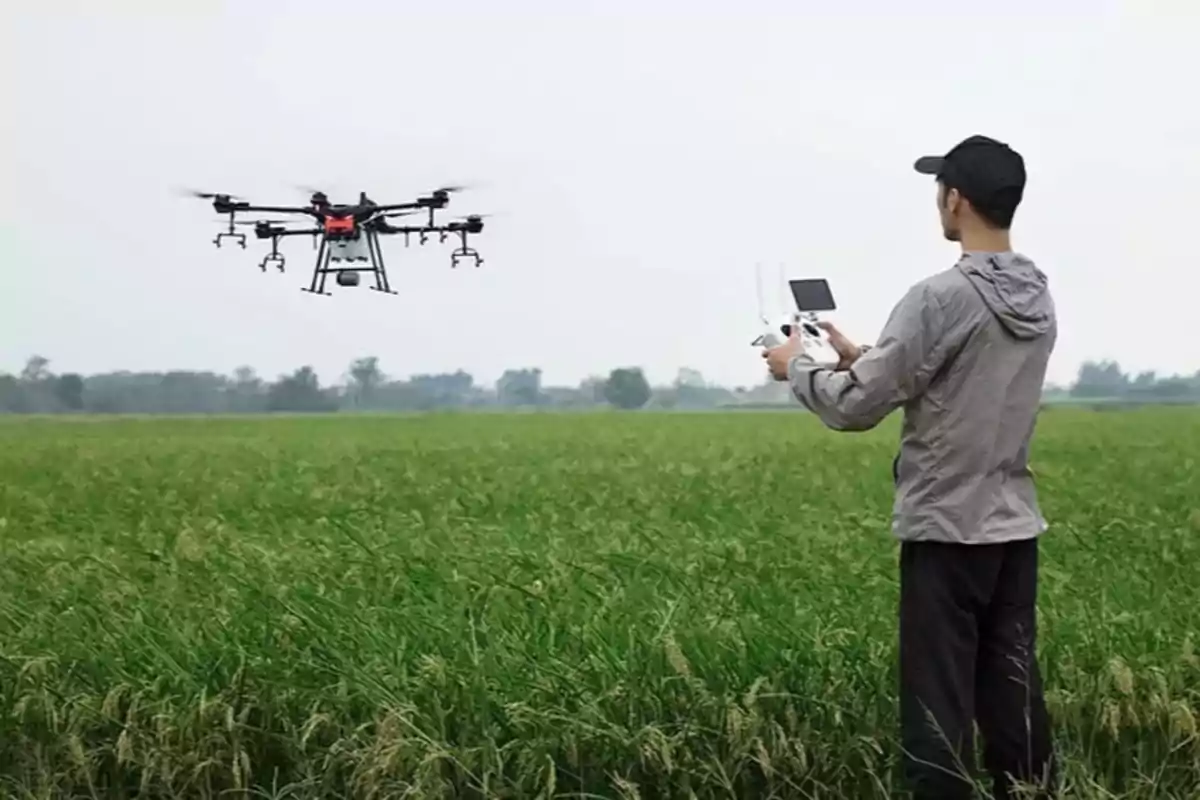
[[965, 356]]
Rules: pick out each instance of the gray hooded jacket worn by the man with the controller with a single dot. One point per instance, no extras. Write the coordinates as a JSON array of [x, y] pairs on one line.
[[965, 354]]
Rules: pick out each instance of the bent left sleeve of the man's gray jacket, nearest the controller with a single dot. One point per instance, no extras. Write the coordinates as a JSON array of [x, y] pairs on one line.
[[897, 370]]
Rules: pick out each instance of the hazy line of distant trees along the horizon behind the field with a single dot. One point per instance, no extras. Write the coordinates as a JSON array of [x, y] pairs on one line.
[[38, 389]]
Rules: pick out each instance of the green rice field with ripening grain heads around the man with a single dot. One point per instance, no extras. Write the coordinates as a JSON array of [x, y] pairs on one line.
[[548, 606]]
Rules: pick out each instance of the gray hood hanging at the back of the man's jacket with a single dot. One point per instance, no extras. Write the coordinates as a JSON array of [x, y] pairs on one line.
[[1015, 290]]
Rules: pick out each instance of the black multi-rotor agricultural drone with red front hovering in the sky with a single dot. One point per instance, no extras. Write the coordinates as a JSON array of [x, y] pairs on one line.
[[347, 237]]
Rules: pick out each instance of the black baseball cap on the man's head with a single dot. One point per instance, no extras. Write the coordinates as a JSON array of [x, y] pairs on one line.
[[988, 173]]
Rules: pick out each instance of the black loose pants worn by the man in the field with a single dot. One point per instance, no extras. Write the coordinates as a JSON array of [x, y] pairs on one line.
[[968, 636]]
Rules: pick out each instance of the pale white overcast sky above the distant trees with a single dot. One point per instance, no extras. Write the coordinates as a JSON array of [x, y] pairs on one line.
[[644, 157]]
